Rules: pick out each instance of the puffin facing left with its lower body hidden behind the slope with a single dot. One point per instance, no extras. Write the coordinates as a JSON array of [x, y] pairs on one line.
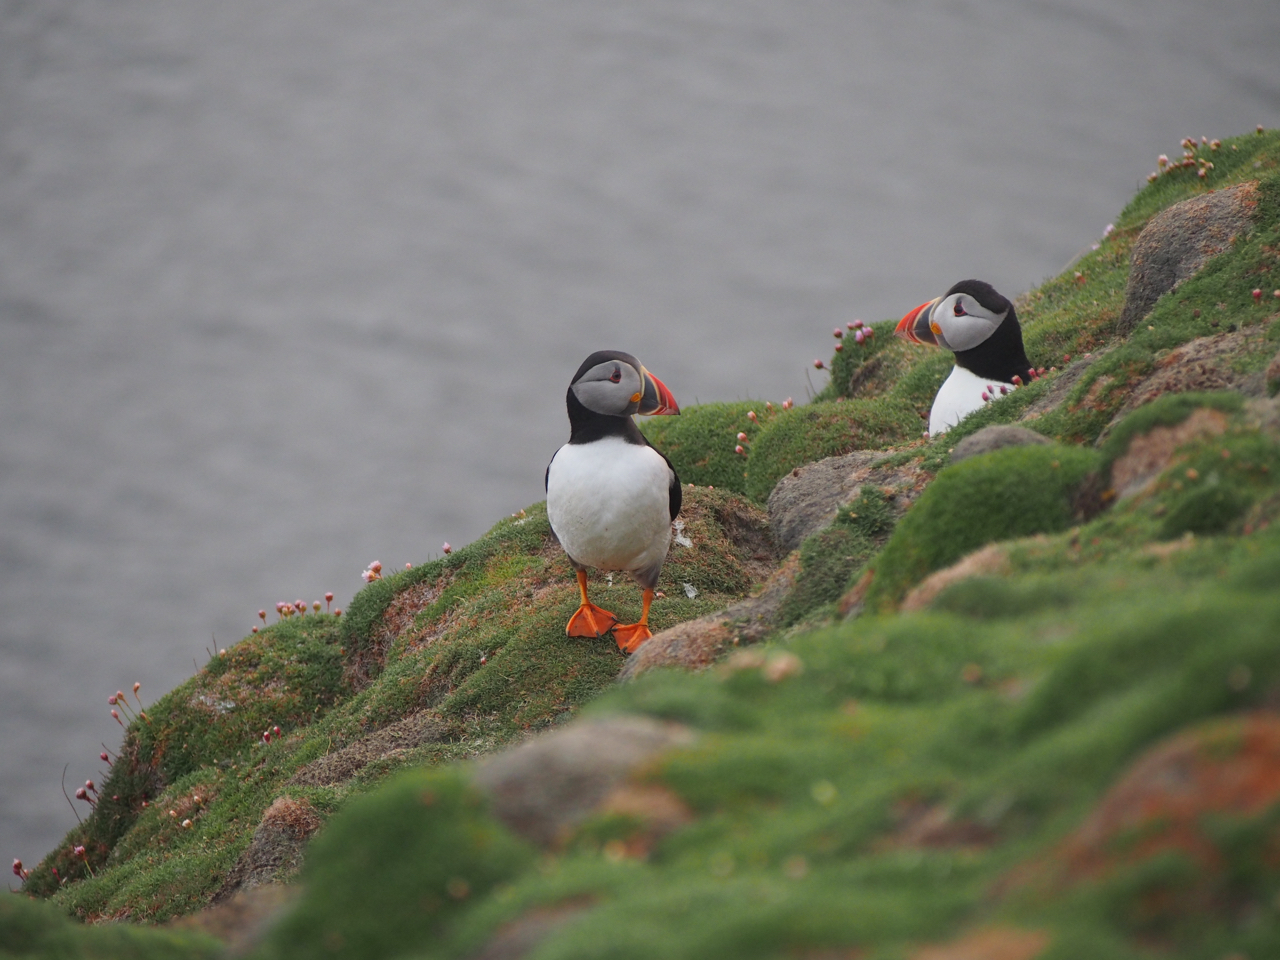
[[981, 328]]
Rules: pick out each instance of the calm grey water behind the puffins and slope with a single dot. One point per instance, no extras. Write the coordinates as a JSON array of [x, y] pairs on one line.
[[290, 287]]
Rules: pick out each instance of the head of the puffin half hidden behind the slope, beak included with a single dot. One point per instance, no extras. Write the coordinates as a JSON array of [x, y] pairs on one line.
[[977, 324]]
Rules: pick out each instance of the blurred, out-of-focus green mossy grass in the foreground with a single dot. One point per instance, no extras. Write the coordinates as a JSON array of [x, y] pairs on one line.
[[811, 790]]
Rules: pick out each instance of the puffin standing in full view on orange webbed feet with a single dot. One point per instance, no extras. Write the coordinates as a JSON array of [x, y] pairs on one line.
[[611, 496]]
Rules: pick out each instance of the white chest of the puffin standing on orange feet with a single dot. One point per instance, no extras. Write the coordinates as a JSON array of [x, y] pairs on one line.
[[609, 504]]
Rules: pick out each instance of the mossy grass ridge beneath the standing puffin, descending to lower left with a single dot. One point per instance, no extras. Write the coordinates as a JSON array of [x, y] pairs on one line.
[[477, 639]]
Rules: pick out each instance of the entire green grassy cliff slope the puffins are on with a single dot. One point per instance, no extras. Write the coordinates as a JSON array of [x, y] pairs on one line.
[[961, 778]]
